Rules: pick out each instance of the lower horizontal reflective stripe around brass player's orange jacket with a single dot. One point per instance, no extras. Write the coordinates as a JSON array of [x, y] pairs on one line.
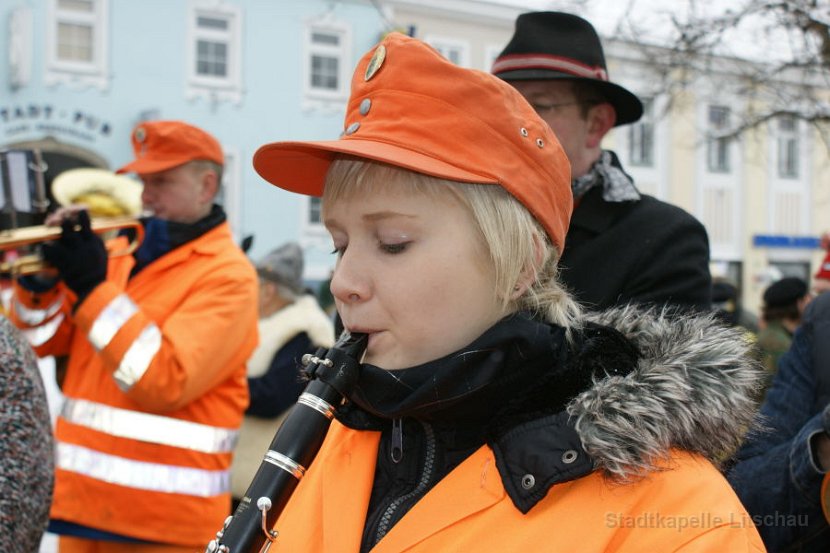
[[141, 475]]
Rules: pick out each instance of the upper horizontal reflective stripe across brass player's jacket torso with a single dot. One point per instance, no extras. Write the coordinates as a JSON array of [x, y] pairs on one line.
[[146, 427]]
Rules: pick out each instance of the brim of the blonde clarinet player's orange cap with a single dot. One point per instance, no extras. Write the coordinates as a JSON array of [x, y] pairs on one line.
[[302, 166]]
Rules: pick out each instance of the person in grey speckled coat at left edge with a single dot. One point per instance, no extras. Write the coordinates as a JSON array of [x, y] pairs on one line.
[[26, 445]]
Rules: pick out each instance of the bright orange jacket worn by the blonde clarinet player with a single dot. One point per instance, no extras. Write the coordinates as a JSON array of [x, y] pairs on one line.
[[687, 507]]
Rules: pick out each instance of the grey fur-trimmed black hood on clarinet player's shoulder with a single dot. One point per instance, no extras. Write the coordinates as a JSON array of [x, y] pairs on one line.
[[691, 385]]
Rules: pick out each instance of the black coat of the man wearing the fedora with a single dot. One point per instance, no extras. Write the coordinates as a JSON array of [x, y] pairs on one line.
[[645, 251]]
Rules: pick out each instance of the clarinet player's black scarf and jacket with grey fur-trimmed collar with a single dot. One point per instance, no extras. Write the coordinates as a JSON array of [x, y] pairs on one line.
[[629, 386]]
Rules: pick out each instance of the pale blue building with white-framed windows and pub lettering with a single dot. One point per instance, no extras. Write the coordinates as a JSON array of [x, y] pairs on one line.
[[78, 75]]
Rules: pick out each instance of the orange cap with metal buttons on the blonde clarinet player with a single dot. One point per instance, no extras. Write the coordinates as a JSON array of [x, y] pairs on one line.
[[411, 108]]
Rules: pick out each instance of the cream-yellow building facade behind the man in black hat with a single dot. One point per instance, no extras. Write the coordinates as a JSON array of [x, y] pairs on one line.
[[762, 195]]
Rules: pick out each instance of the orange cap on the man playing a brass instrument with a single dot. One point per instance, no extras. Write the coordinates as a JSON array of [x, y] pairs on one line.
[[162, 145]]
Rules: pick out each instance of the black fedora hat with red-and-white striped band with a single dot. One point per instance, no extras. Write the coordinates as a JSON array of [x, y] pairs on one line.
[[556, 45]]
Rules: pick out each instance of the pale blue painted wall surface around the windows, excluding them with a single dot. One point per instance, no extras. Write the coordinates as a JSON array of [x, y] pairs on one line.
[[147, 57]]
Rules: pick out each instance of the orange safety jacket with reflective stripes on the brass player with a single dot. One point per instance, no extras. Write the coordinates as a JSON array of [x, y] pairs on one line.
[[155, 389]]
